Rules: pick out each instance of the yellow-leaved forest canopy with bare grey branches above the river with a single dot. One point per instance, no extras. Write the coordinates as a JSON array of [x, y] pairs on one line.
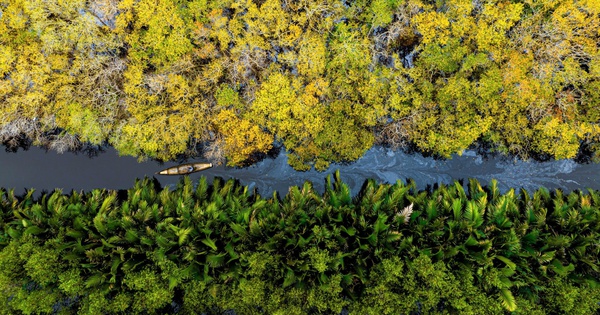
[[327, 78]]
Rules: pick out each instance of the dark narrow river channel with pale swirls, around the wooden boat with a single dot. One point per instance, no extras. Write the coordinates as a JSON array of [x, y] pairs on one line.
[[36, 168]]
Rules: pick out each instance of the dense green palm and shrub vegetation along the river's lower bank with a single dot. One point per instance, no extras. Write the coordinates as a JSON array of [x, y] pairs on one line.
[[389, 250]]
